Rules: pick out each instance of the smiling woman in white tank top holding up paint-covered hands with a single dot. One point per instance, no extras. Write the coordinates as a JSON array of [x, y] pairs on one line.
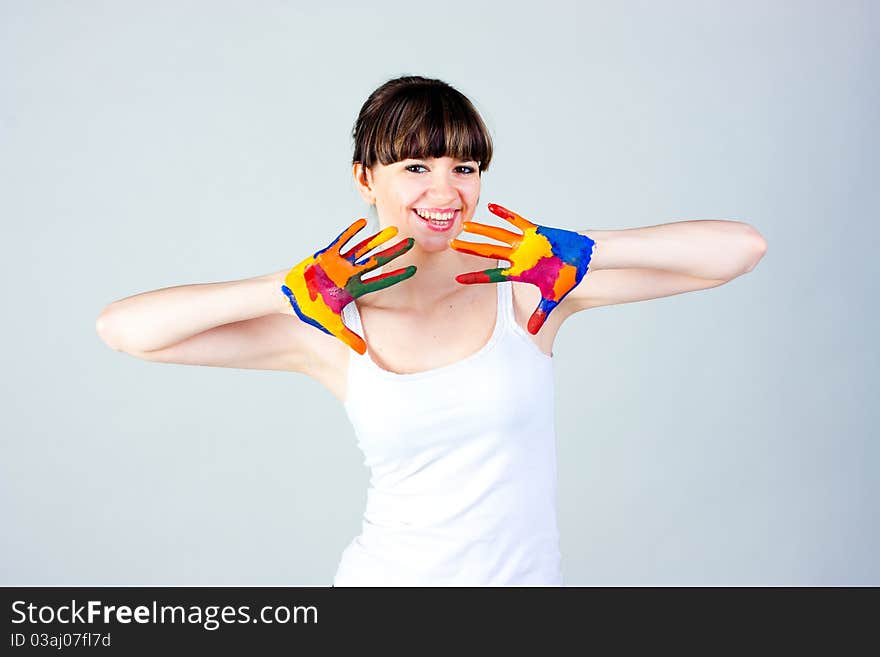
[[444, 365]]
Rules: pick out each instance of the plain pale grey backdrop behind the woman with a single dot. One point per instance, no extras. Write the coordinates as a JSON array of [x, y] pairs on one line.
[[720, 437]]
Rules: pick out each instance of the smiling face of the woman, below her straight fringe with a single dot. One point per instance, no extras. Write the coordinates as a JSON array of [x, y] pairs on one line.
[[427, 199]]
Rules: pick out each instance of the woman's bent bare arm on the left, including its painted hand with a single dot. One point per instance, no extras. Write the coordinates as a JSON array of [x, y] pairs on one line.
[[242, 323]]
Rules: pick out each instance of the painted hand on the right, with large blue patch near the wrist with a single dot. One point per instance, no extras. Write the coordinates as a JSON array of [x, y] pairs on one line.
[[552, 258]]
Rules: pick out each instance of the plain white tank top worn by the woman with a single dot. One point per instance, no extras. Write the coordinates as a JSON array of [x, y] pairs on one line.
[[463, 475]]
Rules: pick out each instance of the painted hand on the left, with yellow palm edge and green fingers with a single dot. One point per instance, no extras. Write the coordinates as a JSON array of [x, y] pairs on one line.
[[322, 285]]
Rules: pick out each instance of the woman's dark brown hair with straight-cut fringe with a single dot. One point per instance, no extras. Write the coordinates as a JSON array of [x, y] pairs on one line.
[[416, 117]]
